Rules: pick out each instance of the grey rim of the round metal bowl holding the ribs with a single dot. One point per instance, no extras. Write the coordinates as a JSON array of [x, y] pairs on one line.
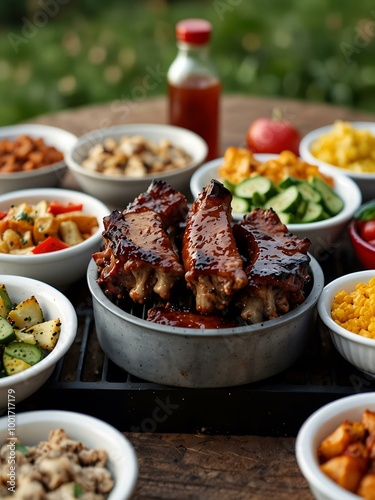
[[266, 326]]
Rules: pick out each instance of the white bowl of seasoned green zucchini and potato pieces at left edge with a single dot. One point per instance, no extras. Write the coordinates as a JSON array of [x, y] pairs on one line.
[[38, 325]]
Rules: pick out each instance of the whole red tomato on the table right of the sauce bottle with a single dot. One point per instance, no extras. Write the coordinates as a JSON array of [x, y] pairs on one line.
[[272, 135]]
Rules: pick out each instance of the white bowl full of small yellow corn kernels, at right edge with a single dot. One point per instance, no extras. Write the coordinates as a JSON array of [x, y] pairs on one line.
[[346, 308]]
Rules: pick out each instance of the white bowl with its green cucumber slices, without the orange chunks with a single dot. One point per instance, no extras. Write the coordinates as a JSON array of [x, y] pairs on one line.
[[311, 207]]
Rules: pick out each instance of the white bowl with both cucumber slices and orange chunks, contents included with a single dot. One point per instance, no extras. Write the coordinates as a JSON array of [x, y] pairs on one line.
[[312, 202]]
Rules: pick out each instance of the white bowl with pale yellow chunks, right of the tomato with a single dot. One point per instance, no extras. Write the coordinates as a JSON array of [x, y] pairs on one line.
[[345, 147]]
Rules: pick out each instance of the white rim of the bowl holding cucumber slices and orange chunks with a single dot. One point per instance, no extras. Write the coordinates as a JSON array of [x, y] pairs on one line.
[[352, 203]]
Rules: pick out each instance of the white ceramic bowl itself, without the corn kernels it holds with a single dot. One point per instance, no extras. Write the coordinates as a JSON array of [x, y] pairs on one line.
[[358, 350]]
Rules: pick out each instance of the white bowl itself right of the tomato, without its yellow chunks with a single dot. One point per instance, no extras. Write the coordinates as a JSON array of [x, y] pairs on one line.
[[365, 181]]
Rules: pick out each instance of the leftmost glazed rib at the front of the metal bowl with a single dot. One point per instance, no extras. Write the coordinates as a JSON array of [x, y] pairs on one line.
[[137, 256]]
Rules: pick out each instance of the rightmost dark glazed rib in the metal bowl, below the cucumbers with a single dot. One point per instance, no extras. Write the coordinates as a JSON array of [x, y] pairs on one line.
[[276, 266]]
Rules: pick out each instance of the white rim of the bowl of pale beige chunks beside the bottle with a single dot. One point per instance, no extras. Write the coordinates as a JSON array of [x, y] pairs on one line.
[[118, 130]]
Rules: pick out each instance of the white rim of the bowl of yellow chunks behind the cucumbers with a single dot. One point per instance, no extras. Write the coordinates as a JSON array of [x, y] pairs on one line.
[[310, 137]]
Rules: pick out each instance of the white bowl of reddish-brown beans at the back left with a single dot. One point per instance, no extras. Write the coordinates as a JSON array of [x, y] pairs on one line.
[[32, 155]]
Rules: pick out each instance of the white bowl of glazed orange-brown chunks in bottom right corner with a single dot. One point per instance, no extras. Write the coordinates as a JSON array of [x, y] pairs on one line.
[[334, 449]]
